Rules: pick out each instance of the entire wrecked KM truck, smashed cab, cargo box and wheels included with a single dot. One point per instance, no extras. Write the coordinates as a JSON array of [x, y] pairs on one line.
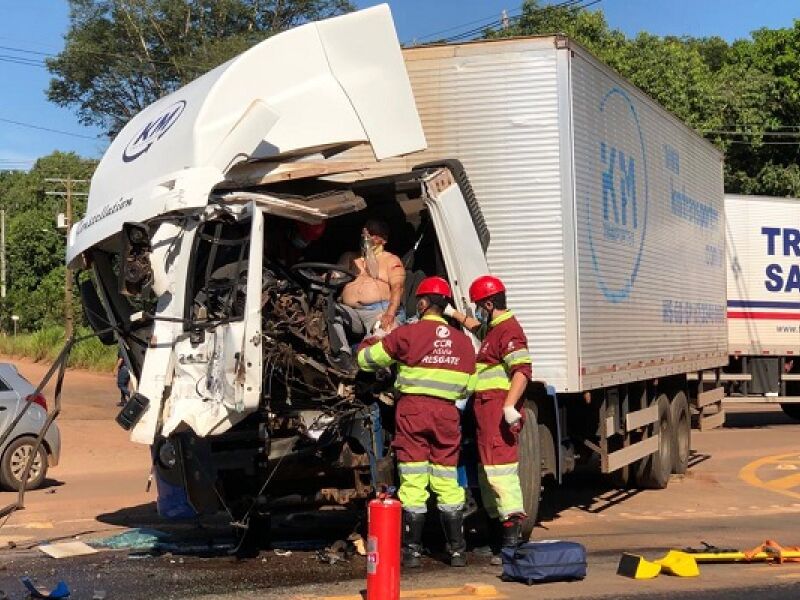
[[602, 213]]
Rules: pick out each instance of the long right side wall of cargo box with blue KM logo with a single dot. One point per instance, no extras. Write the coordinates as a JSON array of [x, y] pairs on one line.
[[651, 237]]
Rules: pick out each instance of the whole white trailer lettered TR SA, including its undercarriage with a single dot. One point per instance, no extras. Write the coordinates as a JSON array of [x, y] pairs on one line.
[[763, 301]]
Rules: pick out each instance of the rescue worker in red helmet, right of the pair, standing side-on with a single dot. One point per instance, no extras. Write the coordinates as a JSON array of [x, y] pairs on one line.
[[504, 370]]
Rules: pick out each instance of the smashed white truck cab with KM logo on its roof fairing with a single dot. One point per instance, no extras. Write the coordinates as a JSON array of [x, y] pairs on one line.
[[226, 327]]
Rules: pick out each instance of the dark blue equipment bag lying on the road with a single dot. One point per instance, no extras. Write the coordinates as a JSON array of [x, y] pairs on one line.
[[539, 562]]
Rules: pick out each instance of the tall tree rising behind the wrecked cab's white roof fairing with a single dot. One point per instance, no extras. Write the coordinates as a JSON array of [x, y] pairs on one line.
[[122, 55]]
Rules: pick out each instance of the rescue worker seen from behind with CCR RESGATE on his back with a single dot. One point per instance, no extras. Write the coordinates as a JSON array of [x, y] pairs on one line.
[[436, 368]]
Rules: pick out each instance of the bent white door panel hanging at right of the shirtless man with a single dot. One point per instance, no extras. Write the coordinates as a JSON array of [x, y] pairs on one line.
[[462, 248]]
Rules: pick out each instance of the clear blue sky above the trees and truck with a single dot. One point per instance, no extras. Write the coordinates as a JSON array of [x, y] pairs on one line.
[[30, 29]]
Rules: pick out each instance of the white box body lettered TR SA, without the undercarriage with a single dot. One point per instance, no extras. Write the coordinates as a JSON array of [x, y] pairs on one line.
[[763, 275]]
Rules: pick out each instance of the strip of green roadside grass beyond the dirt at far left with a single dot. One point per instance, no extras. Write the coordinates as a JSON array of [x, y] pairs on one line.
[[45, 344]]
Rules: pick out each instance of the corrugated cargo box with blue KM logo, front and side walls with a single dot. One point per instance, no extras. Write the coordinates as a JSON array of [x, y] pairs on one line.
[[605, 211]]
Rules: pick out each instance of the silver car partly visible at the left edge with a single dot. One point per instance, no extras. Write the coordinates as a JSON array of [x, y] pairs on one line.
[[14, 452]]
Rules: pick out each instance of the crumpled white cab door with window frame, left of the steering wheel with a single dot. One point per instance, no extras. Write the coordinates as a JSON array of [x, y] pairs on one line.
[[217, 379]]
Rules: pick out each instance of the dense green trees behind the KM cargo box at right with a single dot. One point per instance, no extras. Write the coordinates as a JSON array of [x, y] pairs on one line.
[[744, 96]]
